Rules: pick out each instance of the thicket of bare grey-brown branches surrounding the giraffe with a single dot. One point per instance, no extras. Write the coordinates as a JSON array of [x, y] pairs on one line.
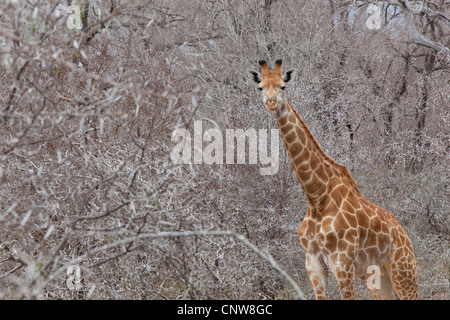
[[86, 123]]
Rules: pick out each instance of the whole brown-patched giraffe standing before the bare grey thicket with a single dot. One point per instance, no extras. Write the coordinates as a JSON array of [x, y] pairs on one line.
[[342, 232]]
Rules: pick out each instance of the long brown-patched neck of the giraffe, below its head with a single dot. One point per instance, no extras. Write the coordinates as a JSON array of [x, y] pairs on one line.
[[310, 163]]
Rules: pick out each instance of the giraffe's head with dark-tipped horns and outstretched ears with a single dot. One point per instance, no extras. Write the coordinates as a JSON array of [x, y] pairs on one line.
[[272, 84]]
